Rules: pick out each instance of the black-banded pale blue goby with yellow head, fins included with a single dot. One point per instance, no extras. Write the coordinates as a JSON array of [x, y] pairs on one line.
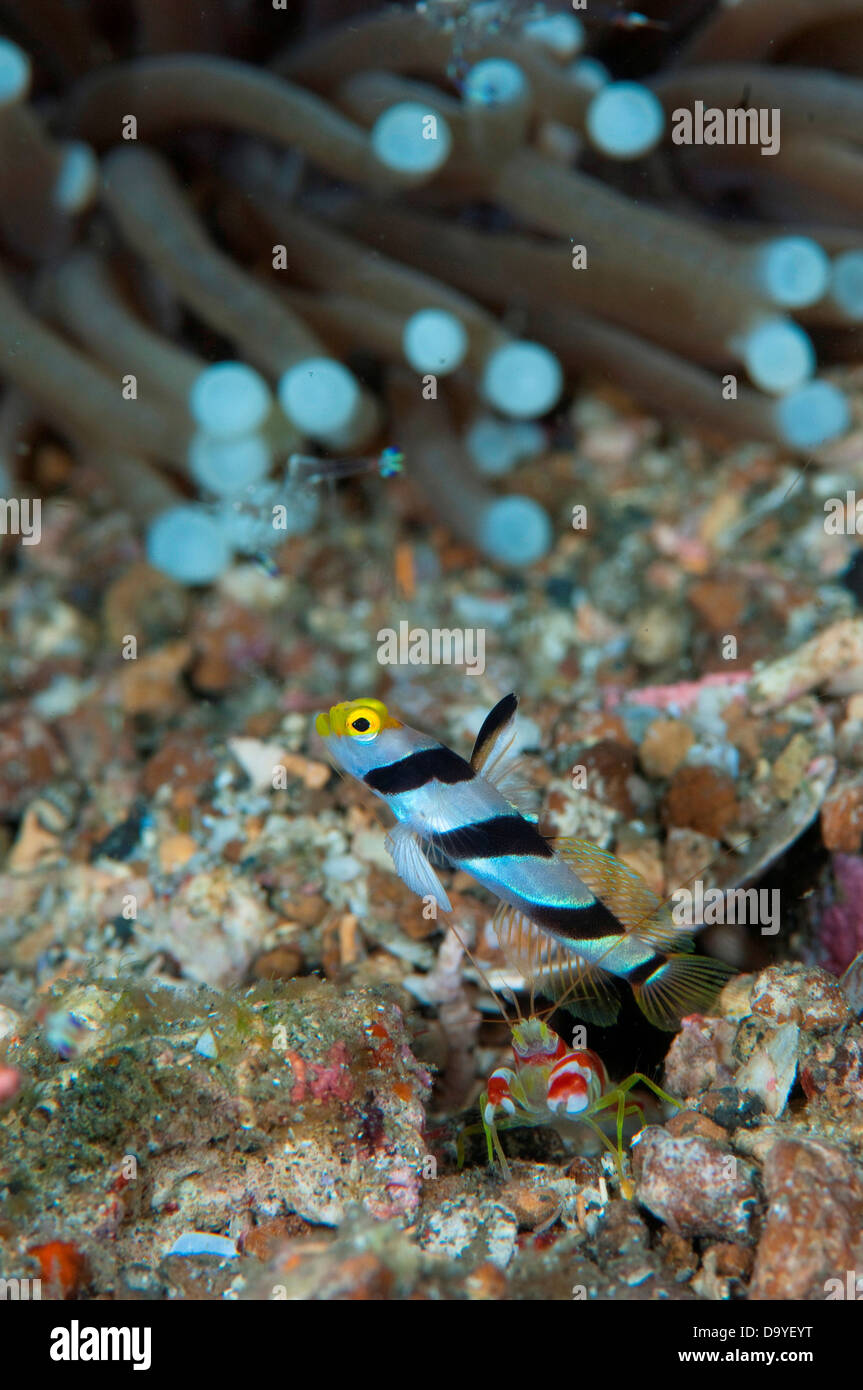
[[554, 921]]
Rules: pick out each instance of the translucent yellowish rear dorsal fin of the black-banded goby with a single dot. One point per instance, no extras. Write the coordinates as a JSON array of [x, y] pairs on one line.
[[625, 893]]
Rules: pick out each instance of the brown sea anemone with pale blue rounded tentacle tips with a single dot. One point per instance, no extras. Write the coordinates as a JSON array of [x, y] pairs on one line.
[[415, 227]]
